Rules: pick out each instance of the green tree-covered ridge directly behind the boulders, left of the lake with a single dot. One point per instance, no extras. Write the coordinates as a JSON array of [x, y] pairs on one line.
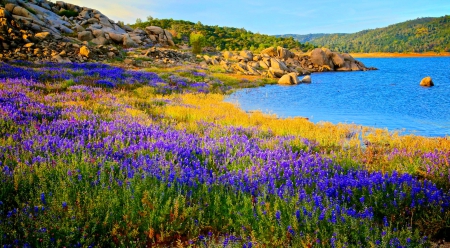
[[222, 38]]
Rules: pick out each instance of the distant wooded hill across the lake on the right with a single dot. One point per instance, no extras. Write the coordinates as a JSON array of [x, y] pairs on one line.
[[420, 35]]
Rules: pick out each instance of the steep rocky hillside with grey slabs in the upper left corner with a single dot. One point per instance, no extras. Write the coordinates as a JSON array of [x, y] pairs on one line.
[[40, 30]]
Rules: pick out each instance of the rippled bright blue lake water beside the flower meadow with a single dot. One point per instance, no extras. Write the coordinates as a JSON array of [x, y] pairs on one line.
[[387, 98]]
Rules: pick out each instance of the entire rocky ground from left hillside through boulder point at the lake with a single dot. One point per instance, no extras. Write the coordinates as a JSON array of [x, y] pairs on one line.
[[40, 30]]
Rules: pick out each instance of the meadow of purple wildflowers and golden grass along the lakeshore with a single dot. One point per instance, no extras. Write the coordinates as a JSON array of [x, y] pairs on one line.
[[97, 156]]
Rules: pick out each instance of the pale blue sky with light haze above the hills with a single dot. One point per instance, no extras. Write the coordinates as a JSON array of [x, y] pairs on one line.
[[276, 17]]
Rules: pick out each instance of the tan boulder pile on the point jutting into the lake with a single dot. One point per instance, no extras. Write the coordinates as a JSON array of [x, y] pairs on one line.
[[280, 62]]
